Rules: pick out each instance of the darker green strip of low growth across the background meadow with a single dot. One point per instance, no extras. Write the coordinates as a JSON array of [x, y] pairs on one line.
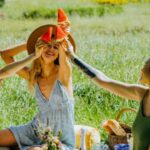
[[97, 10]]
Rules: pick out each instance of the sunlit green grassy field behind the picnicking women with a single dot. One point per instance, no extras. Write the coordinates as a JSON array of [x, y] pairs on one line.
[[115, 44]]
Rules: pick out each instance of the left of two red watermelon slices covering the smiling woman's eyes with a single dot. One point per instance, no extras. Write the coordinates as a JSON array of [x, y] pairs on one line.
[[46, 37]]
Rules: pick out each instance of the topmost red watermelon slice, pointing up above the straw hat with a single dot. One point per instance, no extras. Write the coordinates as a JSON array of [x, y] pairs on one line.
[[63, 21]]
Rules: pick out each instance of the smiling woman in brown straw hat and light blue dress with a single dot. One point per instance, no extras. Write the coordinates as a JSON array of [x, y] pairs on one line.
[[50, 75]]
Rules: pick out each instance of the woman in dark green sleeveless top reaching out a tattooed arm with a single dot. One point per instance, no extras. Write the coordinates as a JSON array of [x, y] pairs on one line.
[[141, 126]]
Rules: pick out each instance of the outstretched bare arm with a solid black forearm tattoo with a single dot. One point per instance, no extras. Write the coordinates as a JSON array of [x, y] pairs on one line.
[[125, 90]]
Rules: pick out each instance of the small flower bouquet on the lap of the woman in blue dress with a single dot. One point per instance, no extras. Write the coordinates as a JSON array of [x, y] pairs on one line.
[[51, 142]]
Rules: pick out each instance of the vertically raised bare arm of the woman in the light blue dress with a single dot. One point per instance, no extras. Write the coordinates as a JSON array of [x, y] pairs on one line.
[[65, 71]]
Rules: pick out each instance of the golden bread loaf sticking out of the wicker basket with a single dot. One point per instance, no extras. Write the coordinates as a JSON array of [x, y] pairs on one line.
[[113, 127]]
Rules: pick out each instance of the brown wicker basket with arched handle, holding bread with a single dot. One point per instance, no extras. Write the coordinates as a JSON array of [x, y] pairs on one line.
[[114, 139]]
